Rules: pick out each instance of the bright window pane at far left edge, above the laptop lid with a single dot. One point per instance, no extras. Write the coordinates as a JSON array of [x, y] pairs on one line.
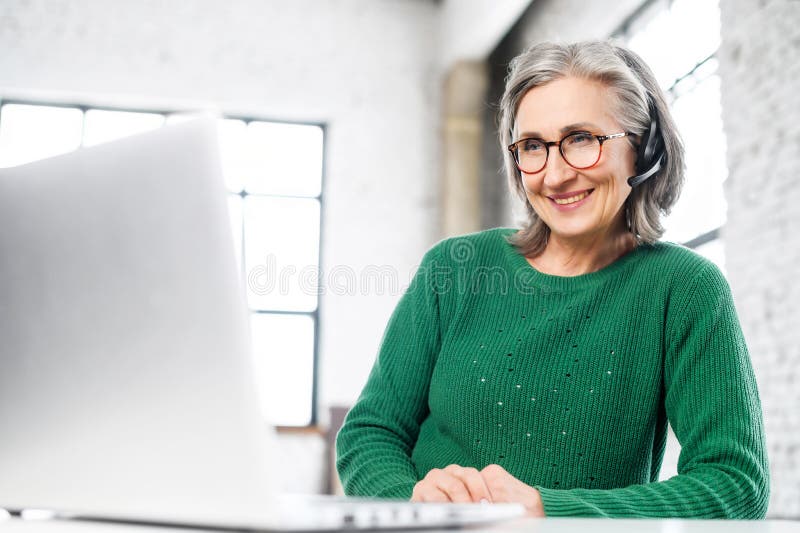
[[31, 132]]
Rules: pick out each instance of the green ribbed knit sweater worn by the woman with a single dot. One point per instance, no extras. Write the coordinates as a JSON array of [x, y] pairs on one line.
[[566, 382]]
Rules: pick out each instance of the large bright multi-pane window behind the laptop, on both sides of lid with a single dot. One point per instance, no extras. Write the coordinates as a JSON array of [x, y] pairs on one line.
[[273, 172]]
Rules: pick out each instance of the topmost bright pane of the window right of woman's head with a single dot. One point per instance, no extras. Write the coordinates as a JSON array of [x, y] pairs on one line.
[[692, 30]]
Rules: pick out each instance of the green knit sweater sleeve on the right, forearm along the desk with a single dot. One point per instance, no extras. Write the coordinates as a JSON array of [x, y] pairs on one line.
[[712, 403]]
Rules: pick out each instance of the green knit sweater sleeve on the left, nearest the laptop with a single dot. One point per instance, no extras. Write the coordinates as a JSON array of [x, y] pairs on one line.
[[375, 443]]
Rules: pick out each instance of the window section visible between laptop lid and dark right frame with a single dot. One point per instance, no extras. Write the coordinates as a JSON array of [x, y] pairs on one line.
[[274, 173]]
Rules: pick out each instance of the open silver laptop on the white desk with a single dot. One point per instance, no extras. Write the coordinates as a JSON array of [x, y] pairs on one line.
[[126, 385]]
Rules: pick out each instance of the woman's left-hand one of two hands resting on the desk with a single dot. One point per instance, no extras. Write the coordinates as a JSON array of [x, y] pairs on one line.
[[454, 483]]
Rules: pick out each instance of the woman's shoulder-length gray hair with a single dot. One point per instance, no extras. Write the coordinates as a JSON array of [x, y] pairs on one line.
[[635, 87]]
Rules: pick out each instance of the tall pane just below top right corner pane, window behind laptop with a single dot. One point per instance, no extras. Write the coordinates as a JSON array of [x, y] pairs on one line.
[[281, 240]]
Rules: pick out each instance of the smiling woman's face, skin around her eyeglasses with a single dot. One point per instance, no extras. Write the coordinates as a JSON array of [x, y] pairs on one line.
[[575, 203]]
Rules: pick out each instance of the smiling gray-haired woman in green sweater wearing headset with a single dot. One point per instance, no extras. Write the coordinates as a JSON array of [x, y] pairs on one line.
[[542, 366]]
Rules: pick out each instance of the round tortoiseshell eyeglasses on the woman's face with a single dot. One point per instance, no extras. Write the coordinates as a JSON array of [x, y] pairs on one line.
[[580, 150]]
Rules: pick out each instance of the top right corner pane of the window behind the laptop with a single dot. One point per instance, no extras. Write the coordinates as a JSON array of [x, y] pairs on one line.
[[286, 159]]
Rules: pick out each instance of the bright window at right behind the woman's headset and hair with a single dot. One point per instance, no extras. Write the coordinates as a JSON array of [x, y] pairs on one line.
[[679, 40]]
